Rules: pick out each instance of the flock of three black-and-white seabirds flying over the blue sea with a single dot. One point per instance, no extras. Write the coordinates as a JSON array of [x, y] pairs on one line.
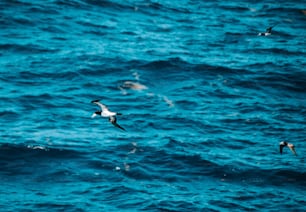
[[106, 113]]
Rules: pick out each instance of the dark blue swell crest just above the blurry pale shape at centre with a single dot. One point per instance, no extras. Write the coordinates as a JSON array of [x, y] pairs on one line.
[[170, 67]]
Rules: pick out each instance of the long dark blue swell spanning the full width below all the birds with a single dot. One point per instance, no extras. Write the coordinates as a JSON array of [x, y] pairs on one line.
[[140, 163]]
